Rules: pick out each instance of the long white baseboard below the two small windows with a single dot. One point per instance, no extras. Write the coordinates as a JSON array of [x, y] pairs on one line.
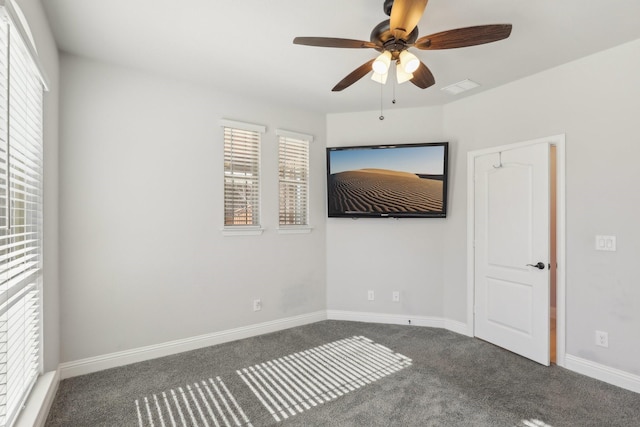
[[121, 358]]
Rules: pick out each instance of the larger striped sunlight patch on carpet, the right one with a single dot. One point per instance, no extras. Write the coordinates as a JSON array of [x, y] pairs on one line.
[[293, 384]]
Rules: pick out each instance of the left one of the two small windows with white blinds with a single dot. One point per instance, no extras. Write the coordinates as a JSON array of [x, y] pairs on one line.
[[241, 174]]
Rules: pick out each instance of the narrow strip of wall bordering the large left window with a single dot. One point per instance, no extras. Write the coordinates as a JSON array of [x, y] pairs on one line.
[[48, 55]]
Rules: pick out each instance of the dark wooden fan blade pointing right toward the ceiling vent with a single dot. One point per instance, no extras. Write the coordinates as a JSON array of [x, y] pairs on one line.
[[463, 37]]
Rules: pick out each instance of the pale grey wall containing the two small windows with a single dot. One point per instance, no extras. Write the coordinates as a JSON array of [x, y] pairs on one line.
[[143, 260]]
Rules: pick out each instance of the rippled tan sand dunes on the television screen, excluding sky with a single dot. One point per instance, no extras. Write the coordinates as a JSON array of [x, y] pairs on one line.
[[383, 191]]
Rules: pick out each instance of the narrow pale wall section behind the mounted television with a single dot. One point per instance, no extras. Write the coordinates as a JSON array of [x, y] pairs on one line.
[[383, 254]]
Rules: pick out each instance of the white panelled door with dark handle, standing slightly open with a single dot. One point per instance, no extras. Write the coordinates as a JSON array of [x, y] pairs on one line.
[[511, 254]]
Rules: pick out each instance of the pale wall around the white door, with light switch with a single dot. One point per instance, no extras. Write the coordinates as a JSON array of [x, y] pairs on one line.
[[595, 101]]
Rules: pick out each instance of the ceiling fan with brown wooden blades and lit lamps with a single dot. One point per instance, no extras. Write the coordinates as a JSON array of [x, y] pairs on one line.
[[394, 36]]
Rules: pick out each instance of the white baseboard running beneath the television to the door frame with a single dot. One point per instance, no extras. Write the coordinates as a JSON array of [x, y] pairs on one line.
[[399, 319]]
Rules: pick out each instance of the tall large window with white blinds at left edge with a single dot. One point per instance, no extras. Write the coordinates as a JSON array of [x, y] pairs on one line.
[[21, 97]]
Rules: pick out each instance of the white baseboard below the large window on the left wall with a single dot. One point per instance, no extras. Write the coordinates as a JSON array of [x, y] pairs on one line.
[[39, 402]]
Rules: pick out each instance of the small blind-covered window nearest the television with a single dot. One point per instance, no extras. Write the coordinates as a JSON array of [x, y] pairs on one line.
[[293, 178]]
